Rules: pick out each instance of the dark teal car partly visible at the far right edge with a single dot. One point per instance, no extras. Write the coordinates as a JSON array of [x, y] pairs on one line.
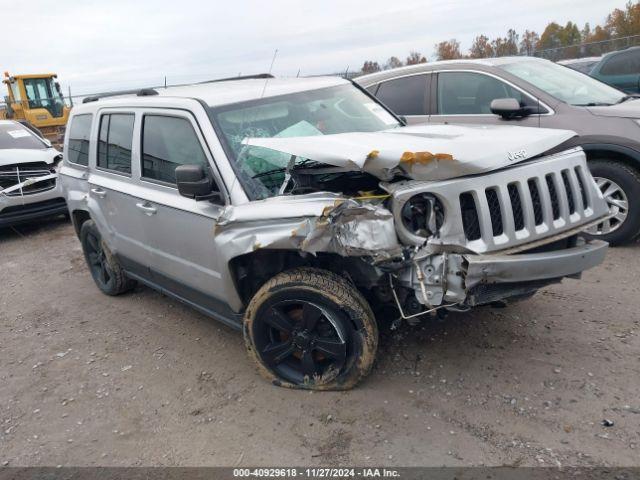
[[620, 69]]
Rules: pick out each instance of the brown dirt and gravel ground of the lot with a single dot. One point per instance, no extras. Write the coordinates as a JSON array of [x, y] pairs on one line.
[[86, 379]]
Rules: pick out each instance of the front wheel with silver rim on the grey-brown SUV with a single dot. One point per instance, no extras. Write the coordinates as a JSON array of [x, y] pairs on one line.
[[620, 185]]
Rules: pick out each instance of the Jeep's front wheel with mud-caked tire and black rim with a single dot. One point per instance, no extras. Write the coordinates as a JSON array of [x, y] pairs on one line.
[[309, 328]]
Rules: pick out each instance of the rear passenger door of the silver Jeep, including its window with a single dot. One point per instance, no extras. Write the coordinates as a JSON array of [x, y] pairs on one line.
[[113, 187]]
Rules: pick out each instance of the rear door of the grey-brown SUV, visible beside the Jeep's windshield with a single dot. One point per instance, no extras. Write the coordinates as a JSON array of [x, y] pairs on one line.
[[406, 97]]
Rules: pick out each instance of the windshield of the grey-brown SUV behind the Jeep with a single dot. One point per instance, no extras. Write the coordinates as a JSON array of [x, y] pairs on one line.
[[565, 84]]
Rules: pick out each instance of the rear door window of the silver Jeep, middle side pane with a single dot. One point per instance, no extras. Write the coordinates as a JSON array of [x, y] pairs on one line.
[[114, 142]]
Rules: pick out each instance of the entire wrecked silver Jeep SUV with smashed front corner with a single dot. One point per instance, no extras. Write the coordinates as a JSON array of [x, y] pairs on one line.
[[294, 209]]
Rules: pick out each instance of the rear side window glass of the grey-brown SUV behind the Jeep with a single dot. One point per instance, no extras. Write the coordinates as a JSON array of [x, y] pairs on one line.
[[405, 96]]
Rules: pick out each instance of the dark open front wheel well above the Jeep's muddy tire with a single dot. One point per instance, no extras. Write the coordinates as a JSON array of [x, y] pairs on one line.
[[252, 270]]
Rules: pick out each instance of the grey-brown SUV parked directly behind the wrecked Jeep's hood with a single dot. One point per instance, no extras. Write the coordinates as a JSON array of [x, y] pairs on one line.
[[531, 92]]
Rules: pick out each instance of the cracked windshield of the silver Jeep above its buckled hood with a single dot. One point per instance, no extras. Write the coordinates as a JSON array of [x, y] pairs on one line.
[[326, 111]]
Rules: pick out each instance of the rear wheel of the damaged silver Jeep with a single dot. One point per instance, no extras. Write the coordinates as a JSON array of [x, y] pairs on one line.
[[105, 269]]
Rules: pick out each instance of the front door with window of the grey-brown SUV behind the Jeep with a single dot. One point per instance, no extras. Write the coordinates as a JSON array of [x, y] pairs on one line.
[[465, 97]]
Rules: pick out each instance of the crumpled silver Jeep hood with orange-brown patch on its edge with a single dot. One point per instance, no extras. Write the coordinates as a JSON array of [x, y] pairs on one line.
[[424, 152]]
